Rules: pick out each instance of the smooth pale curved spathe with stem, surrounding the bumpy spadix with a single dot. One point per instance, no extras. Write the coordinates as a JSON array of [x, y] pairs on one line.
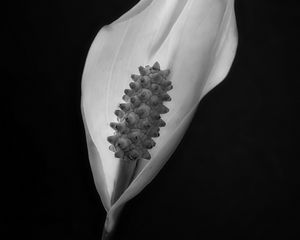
[[195, 39]]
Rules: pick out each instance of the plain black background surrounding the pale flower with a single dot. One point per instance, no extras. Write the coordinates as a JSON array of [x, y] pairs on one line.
[[234, 176]]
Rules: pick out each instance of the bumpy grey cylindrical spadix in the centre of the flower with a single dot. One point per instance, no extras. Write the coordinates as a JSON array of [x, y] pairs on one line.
[[139, 119]]
